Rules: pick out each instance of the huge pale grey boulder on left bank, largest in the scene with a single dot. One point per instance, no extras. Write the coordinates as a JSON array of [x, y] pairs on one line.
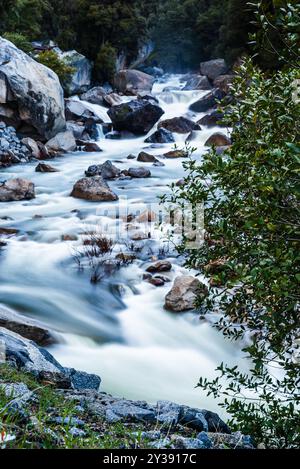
[[33, 90]]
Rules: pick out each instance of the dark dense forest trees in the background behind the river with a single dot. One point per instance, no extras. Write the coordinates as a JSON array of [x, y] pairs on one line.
[[185, 32]]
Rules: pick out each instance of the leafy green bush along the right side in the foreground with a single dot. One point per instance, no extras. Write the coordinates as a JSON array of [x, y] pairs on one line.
[[251, 194]]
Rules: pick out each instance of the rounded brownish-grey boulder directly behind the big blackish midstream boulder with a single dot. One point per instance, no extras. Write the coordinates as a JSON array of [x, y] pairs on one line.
[[133, 82]]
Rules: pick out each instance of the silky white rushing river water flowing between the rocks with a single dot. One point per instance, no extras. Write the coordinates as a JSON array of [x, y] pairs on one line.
[[140, 350]]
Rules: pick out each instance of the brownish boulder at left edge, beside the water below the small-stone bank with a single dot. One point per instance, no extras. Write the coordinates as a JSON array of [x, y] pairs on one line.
[[16, 189]]
